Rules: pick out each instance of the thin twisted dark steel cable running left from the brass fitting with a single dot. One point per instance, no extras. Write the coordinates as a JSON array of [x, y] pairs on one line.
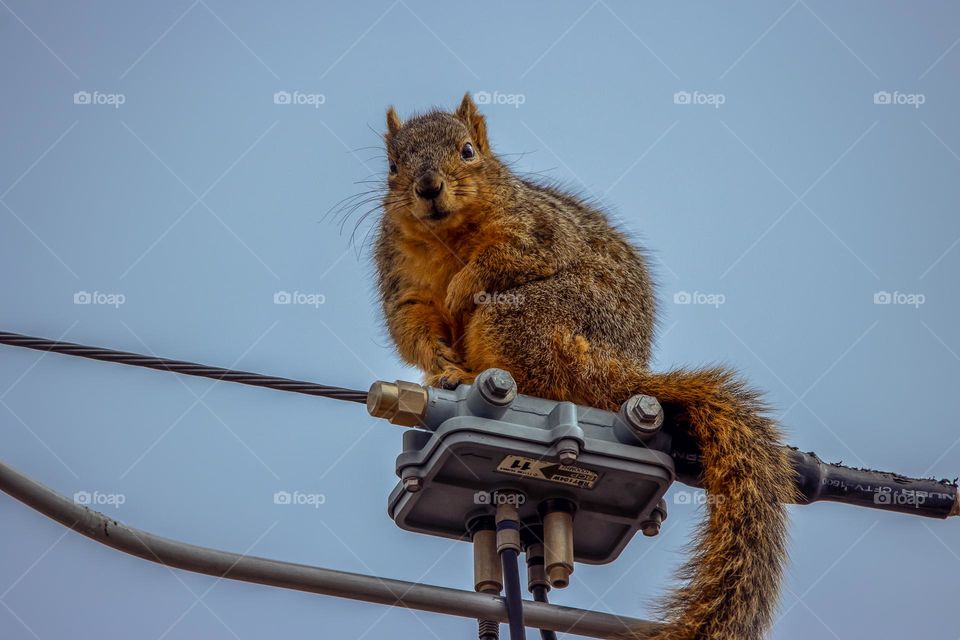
[[182, 367]]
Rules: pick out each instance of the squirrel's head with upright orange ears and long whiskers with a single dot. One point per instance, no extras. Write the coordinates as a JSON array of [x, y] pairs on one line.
[[441, 167]]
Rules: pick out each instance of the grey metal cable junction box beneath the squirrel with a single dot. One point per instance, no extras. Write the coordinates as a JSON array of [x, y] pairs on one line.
[[483, 443]]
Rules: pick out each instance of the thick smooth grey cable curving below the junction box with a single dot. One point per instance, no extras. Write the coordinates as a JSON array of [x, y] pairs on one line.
[[233, 566]]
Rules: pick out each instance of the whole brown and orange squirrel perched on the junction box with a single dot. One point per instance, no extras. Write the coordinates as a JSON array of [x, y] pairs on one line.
[[479, 267]]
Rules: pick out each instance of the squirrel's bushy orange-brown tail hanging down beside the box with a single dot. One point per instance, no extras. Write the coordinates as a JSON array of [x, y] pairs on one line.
[[732, 581]]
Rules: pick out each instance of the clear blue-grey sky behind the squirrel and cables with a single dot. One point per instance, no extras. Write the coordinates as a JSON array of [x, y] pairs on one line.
[[782, 189]]
